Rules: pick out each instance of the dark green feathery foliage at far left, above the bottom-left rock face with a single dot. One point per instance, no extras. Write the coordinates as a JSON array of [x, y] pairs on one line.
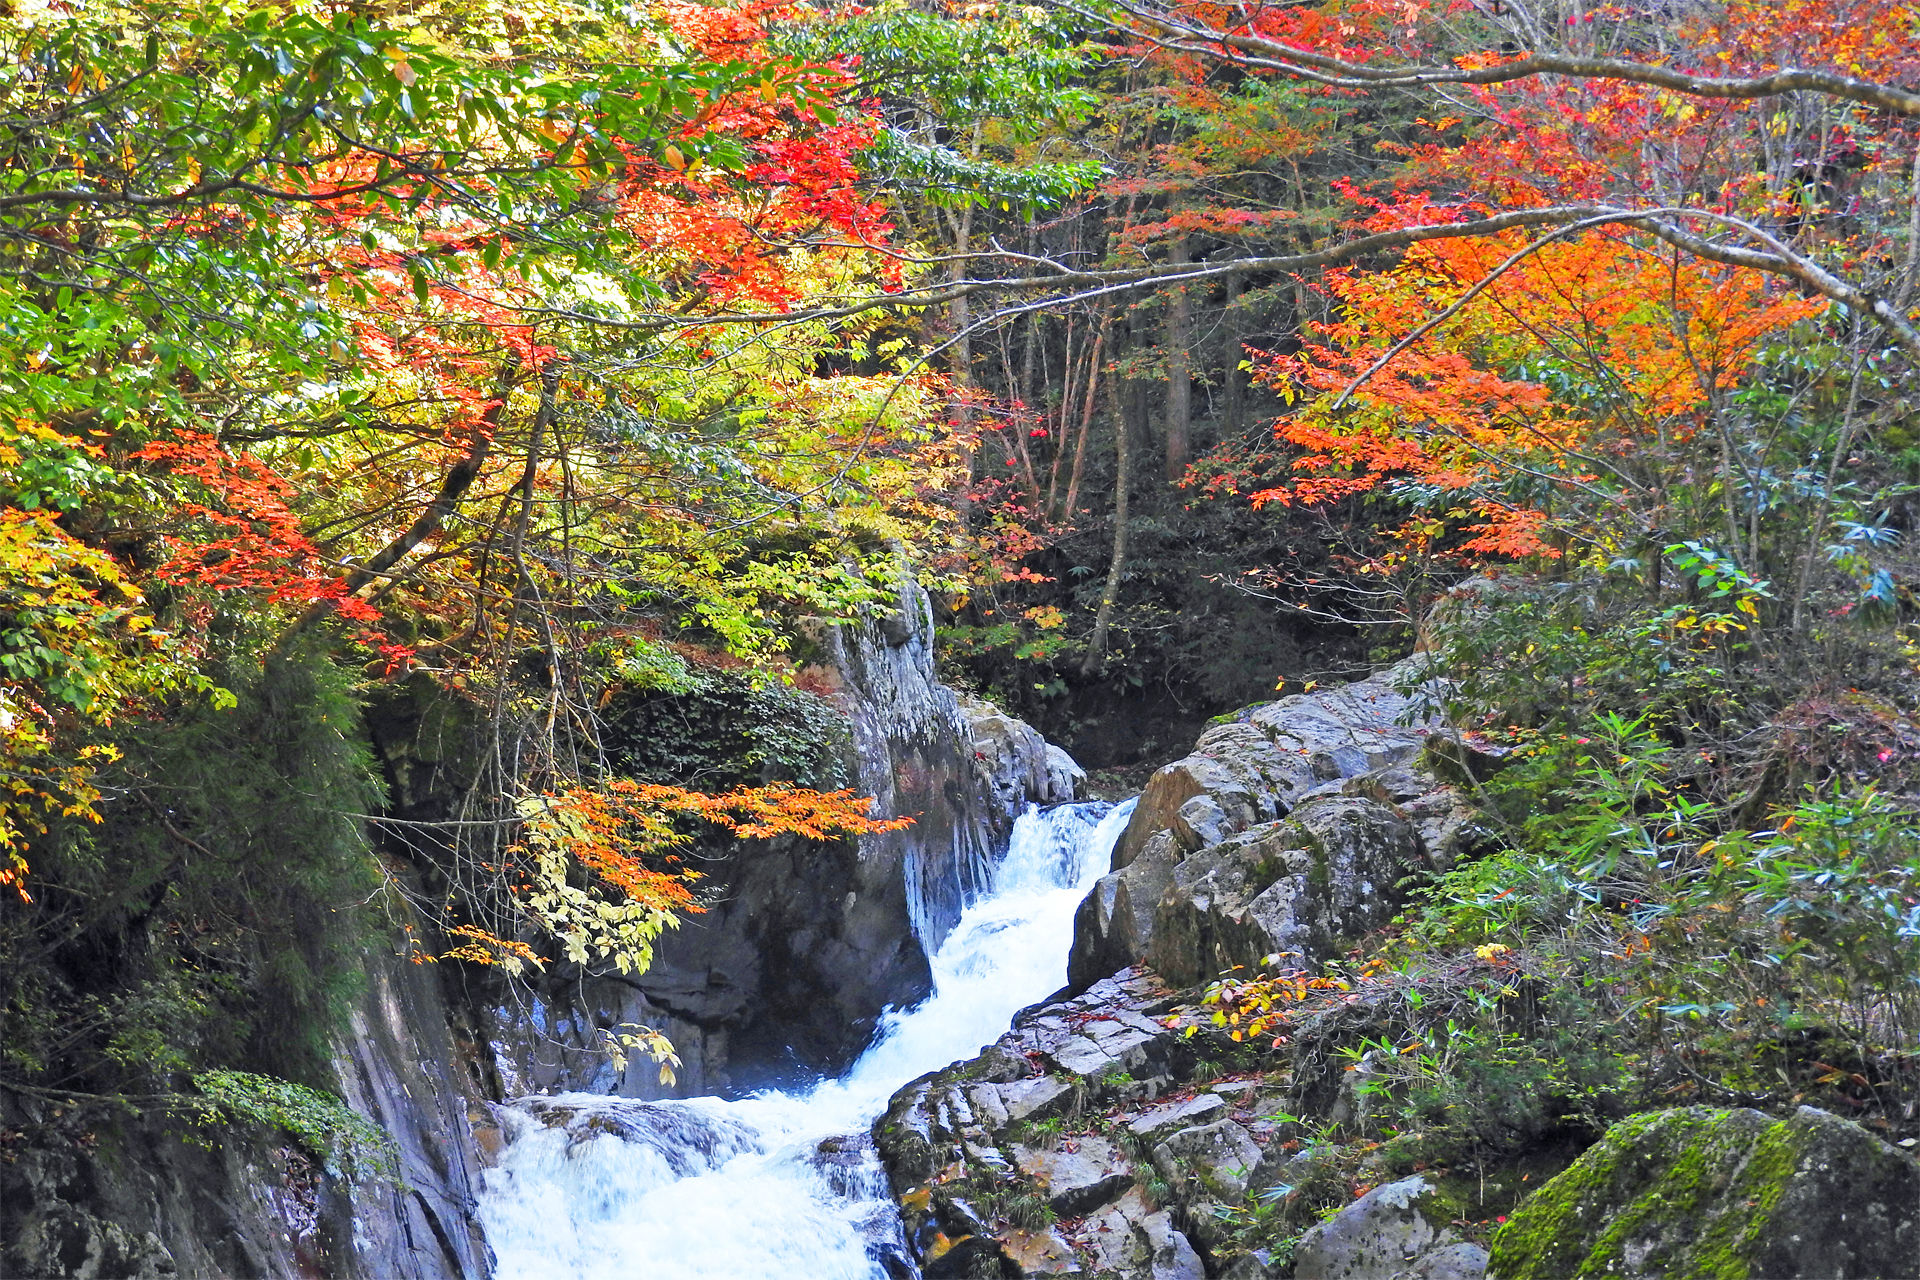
[[214, 918]]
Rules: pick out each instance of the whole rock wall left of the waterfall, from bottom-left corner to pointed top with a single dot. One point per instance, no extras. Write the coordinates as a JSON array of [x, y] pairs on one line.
[[805, 945]]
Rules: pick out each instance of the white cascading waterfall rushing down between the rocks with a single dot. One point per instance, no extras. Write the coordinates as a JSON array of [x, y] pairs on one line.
[[757, 1189]]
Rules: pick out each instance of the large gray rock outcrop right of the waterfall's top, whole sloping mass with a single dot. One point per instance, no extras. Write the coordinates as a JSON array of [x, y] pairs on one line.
[[1209, 865]]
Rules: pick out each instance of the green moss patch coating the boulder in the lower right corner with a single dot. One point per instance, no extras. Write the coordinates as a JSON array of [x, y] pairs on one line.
[[1689, 1195]]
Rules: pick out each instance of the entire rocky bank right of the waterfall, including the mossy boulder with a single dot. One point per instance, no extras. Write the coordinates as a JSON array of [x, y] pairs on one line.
[[1126, 1131]]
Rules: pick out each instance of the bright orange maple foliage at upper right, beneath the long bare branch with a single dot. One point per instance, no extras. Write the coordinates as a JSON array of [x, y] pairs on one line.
[[1666, 335]]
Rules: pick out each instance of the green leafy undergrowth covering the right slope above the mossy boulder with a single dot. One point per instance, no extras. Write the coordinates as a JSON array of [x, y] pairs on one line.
[[1700, 889]]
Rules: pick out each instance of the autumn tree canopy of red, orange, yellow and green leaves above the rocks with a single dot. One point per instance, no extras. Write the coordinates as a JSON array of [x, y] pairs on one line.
[[531, 354]]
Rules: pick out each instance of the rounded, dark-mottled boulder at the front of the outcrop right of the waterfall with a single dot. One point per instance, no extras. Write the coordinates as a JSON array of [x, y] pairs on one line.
[[1305, 889]]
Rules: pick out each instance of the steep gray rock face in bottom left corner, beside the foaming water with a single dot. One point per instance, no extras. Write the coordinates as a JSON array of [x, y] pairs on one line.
[[103, 1195]]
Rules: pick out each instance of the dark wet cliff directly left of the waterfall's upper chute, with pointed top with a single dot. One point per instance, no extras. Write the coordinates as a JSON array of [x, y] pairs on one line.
[[807, 943]]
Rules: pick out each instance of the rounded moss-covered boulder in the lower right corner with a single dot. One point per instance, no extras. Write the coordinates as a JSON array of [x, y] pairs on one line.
[[1721, 1197]]
